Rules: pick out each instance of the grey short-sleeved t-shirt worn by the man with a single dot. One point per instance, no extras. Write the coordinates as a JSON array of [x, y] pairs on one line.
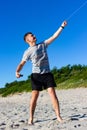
[[38, 56]]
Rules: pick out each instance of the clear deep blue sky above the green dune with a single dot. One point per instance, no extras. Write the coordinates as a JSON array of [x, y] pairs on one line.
[[42, 17]]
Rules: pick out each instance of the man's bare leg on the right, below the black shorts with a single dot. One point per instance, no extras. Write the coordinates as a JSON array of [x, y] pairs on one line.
[[55, 103]]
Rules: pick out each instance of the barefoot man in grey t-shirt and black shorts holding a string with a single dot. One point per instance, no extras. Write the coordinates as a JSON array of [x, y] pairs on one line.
[[41, 77]]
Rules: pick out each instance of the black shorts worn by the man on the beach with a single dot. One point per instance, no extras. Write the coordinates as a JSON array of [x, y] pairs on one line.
[[42, 81]]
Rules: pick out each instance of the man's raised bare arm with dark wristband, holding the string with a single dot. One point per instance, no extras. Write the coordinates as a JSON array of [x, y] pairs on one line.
[[56, 34]]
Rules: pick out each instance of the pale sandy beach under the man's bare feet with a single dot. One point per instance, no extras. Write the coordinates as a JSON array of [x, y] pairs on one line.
[[14, 111]]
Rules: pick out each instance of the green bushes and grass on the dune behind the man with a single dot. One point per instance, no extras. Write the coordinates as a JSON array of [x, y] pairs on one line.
[[65, 77]]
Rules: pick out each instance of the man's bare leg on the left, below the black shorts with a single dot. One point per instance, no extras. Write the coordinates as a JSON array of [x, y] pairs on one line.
[[33, 102]]
